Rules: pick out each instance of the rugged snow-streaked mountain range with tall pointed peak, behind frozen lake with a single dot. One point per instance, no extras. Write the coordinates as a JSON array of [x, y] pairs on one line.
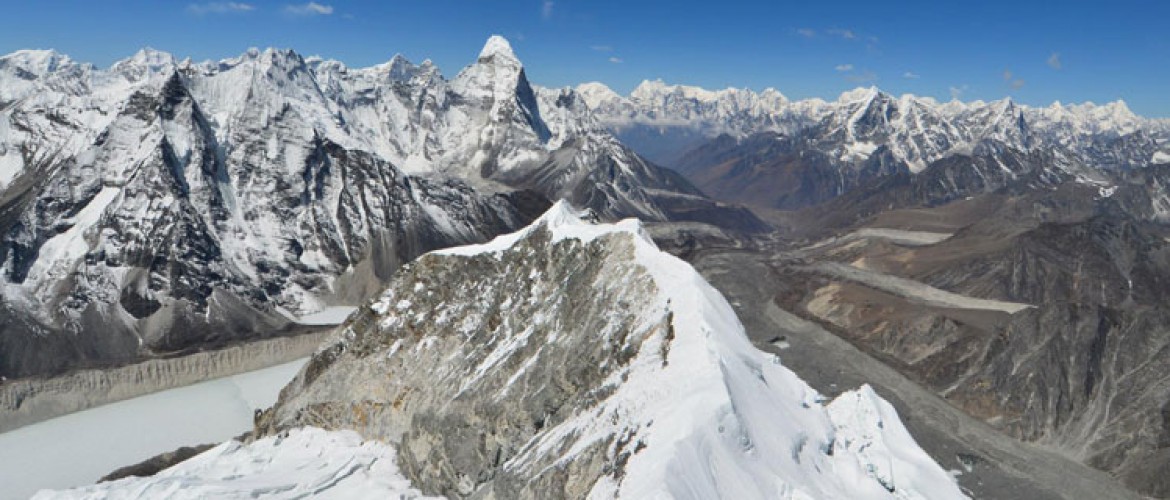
[[170, 204]]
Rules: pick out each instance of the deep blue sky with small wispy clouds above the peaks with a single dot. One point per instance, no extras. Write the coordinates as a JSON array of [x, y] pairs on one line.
[[1035, 52]]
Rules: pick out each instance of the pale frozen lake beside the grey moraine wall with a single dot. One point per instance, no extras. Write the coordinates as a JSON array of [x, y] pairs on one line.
[[81, 448]]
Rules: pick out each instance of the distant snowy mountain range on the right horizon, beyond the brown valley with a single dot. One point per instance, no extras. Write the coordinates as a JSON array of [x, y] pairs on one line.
[[918, 131]]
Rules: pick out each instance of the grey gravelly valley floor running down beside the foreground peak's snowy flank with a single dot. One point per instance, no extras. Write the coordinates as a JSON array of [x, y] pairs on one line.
[[990, 464]]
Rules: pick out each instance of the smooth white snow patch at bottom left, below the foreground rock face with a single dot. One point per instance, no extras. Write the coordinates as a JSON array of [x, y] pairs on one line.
[[306, 463]]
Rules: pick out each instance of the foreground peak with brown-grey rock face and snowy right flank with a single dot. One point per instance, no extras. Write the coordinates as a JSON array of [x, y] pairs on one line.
[[580, 361]]
